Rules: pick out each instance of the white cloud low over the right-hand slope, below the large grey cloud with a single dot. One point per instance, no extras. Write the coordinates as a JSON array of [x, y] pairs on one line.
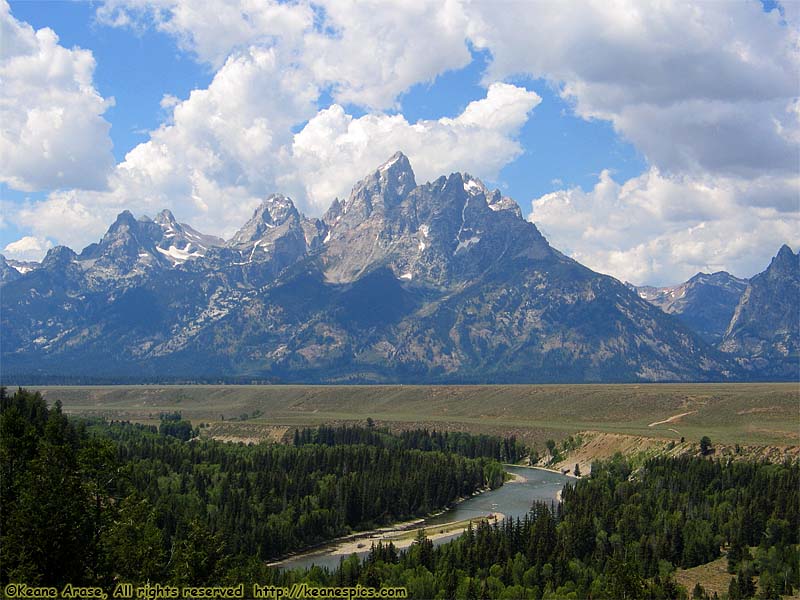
[[660, 230]]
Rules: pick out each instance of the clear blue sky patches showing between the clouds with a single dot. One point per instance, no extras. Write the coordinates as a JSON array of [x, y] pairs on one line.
[[137, 68]]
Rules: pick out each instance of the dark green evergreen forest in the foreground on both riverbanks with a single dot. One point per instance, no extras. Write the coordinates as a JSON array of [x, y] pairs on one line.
[[96, 503]]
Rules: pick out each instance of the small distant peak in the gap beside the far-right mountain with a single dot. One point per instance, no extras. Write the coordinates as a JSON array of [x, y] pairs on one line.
[[705, 303]]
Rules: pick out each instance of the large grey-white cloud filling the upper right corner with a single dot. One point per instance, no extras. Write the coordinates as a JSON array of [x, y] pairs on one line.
[[707, 87]]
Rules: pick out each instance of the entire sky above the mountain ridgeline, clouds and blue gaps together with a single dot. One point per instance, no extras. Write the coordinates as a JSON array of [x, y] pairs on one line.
[[591, 128]]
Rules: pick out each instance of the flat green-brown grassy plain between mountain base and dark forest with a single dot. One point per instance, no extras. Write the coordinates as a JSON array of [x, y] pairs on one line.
[[754, 413]]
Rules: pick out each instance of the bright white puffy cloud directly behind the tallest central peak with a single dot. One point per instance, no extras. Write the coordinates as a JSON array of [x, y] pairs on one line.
[[335, 149]]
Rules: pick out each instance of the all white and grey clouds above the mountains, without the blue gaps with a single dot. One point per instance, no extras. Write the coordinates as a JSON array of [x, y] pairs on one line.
[[706, 92]]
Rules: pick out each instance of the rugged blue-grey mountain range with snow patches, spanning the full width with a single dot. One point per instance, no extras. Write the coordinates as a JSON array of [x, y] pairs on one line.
[[400, 282]]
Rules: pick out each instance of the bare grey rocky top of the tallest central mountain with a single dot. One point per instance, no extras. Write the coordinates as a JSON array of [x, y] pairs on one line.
[[439, 233]]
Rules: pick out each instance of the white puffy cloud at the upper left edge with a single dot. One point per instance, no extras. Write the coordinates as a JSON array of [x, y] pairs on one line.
[[52, 133]]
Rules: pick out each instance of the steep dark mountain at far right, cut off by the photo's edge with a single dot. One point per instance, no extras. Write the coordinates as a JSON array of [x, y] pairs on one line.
[[764, 330]]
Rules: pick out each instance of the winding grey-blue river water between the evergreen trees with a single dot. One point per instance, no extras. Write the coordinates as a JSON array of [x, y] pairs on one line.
[[512, 500]]
